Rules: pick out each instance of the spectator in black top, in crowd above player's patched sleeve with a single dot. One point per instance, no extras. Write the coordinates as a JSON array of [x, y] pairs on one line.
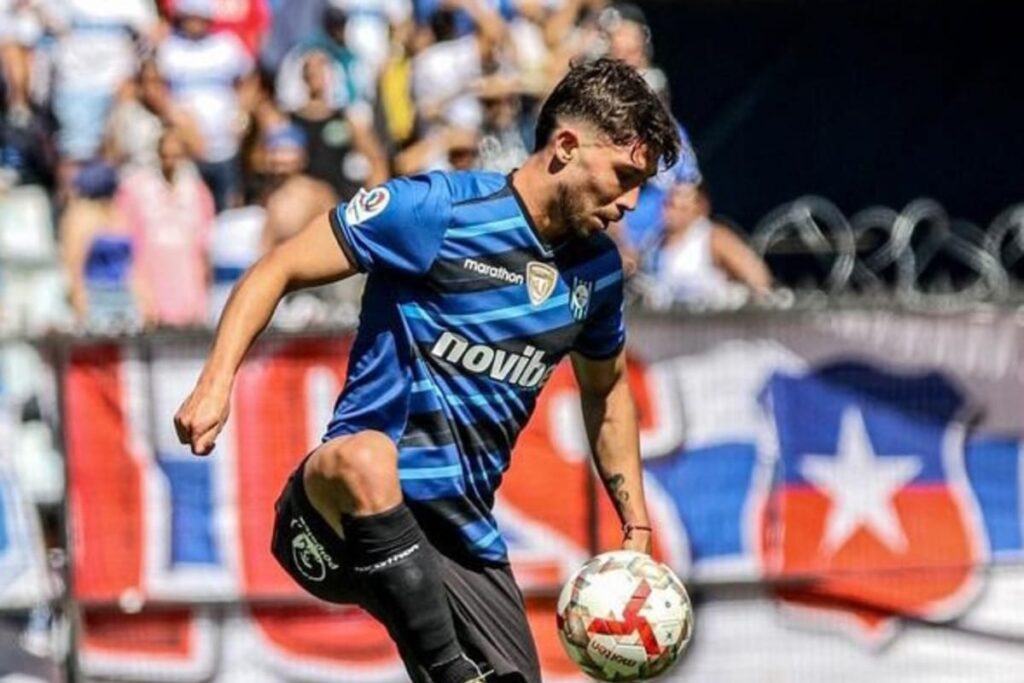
[[342, 147]]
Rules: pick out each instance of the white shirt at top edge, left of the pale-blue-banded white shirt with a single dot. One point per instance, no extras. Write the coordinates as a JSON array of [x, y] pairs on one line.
[[96, 51]]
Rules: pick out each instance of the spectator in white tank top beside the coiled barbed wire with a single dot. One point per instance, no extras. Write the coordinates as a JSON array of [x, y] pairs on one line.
[[699, 262]]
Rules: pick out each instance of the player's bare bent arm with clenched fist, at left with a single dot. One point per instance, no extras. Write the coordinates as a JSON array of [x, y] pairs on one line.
[[312, 258]]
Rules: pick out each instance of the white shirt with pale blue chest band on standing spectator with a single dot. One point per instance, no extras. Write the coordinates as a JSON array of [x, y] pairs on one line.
[[203, 75]]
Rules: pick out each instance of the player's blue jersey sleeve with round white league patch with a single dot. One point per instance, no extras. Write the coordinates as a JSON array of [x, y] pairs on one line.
[[397, 227]]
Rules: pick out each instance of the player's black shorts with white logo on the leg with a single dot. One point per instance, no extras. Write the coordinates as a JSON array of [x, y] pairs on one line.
[[487, 605]]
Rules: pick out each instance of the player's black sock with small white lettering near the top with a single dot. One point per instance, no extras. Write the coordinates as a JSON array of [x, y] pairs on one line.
[[404, 573]]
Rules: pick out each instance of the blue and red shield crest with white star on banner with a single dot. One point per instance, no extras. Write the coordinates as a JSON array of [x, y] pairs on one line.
[[869, 482]]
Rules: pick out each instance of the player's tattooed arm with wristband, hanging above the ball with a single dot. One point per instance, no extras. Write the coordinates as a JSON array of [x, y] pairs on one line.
[[612, 429]]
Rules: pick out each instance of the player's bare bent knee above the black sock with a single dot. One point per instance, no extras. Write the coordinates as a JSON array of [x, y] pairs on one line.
[[362, 471]]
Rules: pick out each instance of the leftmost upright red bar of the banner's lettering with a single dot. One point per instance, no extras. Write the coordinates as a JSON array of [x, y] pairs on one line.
[[105, 484]]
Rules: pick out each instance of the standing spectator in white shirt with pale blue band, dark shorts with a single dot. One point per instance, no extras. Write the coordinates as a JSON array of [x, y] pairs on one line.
[[208, 73]]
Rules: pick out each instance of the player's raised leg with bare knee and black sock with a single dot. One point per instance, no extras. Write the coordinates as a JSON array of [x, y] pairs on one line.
[[354, 483]]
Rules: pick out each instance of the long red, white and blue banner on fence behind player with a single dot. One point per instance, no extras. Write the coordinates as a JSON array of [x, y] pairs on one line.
[[842, 493]]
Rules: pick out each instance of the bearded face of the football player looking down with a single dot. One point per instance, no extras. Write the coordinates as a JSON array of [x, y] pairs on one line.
[[602, 183]]
